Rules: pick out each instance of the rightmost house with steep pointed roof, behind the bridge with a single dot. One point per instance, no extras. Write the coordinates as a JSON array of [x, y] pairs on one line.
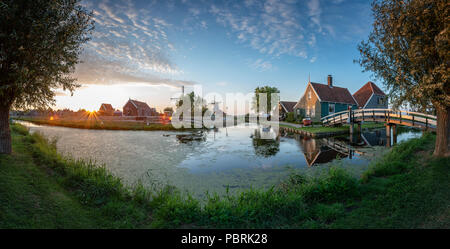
[[370, 96]]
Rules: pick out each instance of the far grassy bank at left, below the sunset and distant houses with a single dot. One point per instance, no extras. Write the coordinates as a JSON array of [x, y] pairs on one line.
[[100, 125]]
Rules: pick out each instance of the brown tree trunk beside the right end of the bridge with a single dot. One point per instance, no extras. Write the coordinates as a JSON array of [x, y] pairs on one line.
[[442, 147]]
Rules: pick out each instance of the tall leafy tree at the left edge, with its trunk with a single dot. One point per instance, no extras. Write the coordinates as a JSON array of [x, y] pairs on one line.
[[40, 43]]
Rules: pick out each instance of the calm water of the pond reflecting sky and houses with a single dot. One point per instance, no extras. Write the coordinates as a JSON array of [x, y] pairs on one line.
[[212, 160]]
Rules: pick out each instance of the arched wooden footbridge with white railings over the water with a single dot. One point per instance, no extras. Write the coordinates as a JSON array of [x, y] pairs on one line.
[[388, 116]]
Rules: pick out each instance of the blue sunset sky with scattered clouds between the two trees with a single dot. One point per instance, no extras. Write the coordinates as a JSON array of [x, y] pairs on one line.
[[146, 50]]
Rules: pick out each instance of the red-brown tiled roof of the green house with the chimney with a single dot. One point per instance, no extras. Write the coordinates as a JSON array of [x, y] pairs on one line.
[[333, 94]]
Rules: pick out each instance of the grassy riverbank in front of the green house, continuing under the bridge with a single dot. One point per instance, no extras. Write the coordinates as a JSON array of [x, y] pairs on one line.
[[326, 131]]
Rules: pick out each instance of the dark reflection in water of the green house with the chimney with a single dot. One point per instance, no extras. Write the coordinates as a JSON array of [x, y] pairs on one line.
[[317, 152]]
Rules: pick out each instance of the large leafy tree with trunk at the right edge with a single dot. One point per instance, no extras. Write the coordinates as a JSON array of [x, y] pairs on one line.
[[408, 49]]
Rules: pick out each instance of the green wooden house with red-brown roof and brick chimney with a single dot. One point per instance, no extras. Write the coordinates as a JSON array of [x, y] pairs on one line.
[[320, 100]]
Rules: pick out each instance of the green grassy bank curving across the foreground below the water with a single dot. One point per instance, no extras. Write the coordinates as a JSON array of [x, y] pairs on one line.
[[405, 189]]
